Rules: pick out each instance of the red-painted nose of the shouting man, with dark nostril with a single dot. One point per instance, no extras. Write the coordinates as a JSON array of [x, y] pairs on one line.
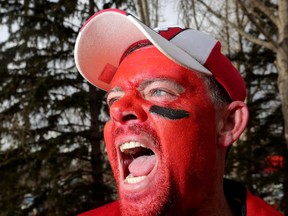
[[128, 109]]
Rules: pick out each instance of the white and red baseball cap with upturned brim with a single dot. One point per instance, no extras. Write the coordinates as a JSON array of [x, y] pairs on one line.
[[107, 35]]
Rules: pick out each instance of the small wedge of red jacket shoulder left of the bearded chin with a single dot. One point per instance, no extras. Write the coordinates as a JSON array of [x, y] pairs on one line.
[[108, 209]]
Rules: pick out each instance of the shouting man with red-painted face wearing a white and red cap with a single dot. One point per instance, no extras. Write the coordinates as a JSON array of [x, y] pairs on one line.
[[176, 106]]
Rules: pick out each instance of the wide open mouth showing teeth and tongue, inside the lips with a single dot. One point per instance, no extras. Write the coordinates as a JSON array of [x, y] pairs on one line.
[[137, 161]]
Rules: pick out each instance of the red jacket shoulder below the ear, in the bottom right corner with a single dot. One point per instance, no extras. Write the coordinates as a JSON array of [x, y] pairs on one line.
[[257, 206]]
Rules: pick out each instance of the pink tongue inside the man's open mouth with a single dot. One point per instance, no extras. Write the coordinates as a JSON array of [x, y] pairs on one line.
[[142, 165]]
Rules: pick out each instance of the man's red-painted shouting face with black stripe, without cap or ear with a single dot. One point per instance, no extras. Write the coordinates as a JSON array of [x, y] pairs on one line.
[[161, 139]]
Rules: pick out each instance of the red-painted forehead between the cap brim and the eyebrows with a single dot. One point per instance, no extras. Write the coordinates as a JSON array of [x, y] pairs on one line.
[[148, 64]]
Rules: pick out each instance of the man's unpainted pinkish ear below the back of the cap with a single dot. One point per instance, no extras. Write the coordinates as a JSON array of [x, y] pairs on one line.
[[233, 123]]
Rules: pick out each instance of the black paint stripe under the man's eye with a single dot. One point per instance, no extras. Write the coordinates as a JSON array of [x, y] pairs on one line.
[[169, 113]]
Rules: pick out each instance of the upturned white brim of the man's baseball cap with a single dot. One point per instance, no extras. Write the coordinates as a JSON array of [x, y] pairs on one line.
[[106, 36]]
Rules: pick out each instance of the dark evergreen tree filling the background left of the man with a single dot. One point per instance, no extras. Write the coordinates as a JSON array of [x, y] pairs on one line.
[[51, 139]]
